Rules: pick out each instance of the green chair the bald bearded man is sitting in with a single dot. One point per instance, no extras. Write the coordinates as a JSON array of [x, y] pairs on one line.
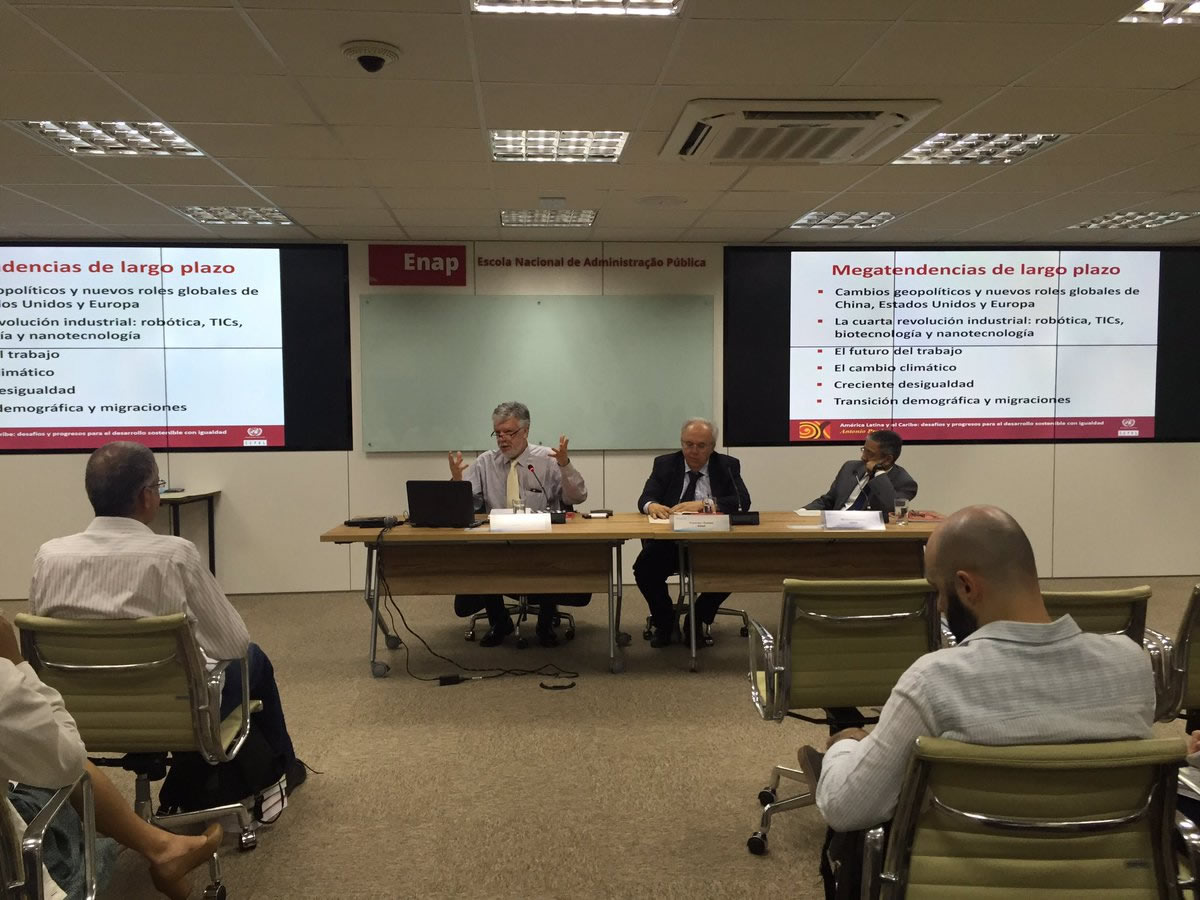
[[1052, 820]]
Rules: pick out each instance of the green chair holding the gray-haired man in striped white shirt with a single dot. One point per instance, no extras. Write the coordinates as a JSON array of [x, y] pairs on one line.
[[141, 688]]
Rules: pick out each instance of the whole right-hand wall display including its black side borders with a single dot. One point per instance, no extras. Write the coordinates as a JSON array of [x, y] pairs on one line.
[[957, 345]]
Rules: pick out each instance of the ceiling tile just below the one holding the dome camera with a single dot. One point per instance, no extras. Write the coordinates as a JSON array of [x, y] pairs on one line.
[[430, 105]]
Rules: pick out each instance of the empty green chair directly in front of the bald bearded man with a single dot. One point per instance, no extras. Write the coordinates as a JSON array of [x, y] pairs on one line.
[[841, 644]]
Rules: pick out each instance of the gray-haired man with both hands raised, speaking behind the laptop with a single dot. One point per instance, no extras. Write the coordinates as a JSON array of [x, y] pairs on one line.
[[541, 479]]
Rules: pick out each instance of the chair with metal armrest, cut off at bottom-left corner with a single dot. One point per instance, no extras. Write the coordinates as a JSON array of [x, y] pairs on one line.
[[22, 855]]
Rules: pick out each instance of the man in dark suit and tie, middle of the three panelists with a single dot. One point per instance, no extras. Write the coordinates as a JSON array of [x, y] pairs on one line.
[[685, 482]]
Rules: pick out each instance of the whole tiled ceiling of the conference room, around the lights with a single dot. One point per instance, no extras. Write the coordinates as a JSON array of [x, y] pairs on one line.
[[285, 121]]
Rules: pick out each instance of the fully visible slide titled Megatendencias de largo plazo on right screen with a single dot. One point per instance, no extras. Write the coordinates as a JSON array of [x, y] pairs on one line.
[[974, 345]]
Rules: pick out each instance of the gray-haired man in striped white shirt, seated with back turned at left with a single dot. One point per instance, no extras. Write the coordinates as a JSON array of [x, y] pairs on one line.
[[119, 569]]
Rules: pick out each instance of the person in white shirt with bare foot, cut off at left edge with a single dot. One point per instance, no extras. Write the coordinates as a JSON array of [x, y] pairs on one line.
[[40, 747]]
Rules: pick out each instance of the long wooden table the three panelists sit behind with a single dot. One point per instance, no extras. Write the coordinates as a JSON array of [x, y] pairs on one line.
[[586, 556]]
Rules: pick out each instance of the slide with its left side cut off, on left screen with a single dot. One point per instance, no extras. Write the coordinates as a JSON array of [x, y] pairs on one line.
[[171, 347]]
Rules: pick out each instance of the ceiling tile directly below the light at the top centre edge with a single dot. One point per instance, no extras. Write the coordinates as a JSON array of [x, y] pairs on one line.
[[545, 50]]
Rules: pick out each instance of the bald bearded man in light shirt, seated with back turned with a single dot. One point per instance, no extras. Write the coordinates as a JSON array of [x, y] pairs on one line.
[[1016, 677]]
